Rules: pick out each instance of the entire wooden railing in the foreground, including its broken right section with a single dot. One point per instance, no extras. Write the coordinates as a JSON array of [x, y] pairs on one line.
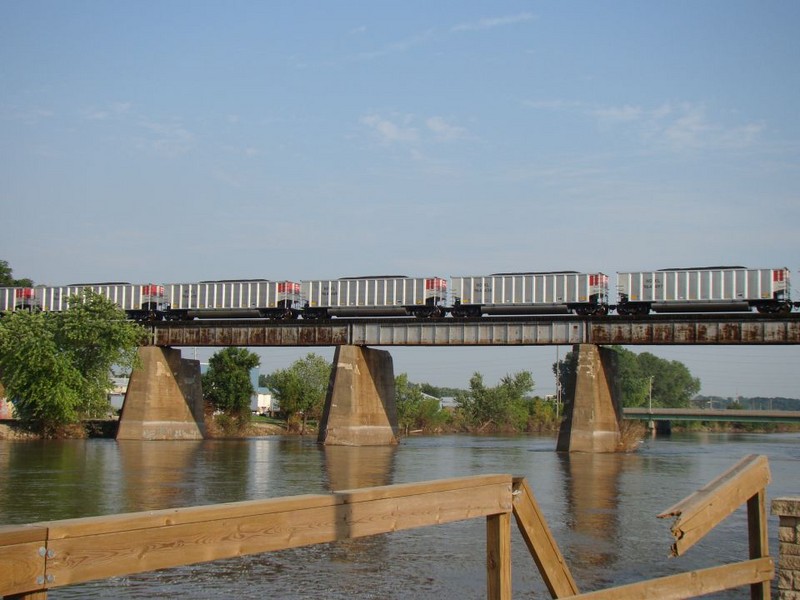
[[37, 557]]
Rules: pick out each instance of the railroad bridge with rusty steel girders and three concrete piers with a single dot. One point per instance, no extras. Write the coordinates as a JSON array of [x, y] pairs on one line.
[[164, 398]]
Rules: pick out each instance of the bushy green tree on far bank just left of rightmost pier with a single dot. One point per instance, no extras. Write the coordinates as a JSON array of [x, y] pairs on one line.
[[505, 405]]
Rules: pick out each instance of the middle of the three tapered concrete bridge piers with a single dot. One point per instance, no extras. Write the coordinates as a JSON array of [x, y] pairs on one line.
[[360, 407]]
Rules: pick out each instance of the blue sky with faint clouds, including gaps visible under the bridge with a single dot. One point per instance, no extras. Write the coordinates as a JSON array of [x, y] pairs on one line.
[[178, 141]]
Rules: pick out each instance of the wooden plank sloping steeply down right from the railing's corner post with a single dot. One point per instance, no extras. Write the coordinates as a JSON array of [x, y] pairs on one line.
[[541, 544]]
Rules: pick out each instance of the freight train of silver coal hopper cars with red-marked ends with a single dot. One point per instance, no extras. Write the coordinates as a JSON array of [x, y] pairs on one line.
[[718, 289]]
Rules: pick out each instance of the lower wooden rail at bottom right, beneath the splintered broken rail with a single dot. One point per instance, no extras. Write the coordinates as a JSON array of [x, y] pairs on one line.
[[691, 583]]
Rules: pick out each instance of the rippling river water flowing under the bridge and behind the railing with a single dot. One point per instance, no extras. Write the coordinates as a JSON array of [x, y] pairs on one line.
[[601, 508]]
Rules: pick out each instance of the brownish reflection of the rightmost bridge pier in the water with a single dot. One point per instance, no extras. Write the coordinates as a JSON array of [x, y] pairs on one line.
[[592, 492]]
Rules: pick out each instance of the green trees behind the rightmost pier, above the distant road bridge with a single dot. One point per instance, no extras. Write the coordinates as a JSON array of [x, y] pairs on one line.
[[672, 383]]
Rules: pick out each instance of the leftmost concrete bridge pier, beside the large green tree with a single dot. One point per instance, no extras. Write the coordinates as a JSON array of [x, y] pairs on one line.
[[164, 400]]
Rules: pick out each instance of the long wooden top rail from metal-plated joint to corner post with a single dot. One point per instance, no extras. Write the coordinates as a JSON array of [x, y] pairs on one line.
[[81, 554]]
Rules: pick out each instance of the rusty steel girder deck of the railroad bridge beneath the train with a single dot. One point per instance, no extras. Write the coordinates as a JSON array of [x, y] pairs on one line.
[[734, 329]]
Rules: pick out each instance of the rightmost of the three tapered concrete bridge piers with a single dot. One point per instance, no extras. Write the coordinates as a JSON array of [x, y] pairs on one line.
[[592, 419]]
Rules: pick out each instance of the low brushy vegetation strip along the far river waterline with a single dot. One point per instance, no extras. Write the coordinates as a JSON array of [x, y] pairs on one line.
[[632, 432]]
